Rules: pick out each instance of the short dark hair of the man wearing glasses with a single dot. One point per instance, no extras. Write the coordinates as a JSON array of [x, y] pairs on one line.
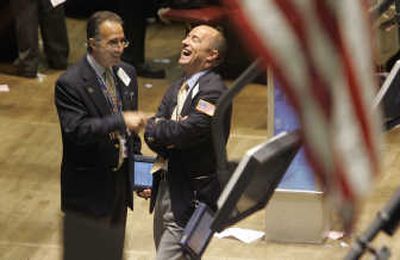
[[94, 22]]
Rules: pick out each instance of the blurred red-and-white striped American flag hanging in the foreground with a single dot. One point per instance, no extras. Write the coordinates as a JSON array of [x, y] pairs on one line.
[[321, 54]]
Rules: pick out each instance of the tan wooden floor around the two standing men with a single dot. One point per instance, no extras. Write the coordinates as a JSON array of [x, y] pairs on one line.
[[30, 153]]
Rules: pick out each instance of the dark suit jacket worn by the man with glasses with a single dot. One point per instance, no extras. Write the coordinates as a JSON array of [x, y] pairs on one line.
[[89, 151]]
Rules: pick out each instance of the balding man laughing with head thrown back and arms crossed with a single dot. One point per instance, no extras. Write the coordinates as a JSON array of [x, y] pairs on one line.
[[180, 133]]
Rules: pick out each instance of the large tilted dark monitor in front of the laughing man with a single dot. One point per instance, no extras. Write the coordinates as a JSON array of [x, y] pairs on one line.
[[255, 179]]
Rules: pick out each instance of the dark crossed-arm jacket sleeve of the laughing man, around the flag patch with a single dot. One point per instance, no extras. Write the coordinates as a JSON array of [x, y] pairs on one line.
[[188, 132]]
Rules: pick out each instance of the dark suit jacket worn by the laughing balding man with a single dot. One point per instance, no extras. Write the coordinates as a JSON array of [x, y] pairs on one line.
[[188, 146]]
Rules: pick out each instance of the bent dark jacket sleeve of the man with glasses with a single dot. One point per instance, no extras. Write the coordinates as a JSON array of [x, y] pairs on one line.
[[76, 123]]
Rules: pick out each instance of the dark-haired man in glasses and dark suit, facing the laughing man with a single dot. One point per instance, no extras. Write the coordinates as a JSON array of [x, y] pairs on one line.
[[95, 101]]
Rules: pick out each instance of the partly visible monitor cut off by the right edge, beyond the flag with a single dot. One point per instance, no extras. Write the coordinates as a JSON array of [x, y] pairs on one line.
[[388, 98]]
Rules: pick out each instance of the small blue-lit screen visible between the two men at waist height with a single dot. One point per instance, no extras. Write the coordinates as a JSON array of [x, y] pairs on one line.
[[142, 172]]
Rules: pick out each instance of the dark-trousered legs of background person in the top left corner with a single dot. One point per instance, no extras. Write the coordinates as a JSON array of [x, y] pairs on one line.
[[29, 16]]
